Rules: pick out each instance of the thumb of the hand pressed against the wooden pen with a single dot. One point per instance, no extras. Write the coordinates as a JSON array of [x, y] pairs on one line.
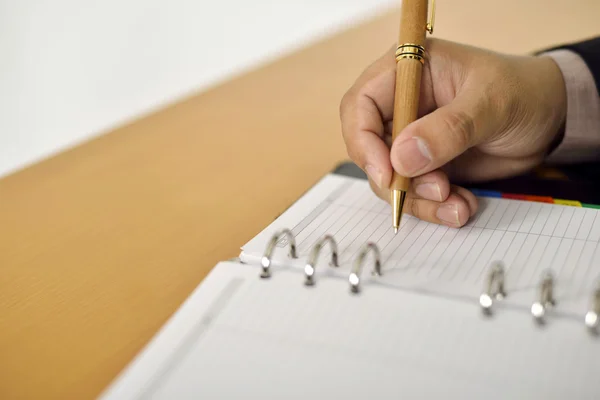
[[435, 139]]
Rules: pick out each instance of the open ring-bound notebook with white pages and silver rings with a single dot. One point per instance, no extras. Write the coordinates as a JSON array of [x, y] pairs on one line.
[[326, 302]]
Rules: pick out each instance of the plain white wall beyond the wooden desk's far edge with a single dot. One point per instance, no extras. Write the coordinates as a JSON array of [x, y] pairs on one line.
[[71, 69]]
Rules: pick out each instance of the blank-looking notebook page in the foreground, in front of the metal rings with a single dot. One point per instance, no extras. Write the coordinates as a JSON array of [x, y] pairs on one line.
[[277, 338]]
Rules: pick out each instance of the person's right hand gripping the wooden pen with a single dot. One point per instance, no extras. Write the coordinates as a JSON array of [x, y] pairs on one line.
[[482, 116]]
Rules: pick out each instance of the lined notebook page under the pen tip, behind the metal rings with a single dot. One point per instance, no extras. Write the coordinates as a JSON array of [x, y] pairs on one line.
[[527, 237]]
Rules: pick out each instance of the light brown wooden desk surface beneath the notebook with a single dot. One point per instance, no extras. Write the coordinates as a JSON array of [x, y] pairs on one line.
[[100, 245]]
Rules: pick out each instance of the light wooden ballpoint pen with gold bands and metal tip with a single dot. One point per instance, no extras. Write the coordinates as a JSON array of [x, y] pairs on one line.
[[410, 58]]
